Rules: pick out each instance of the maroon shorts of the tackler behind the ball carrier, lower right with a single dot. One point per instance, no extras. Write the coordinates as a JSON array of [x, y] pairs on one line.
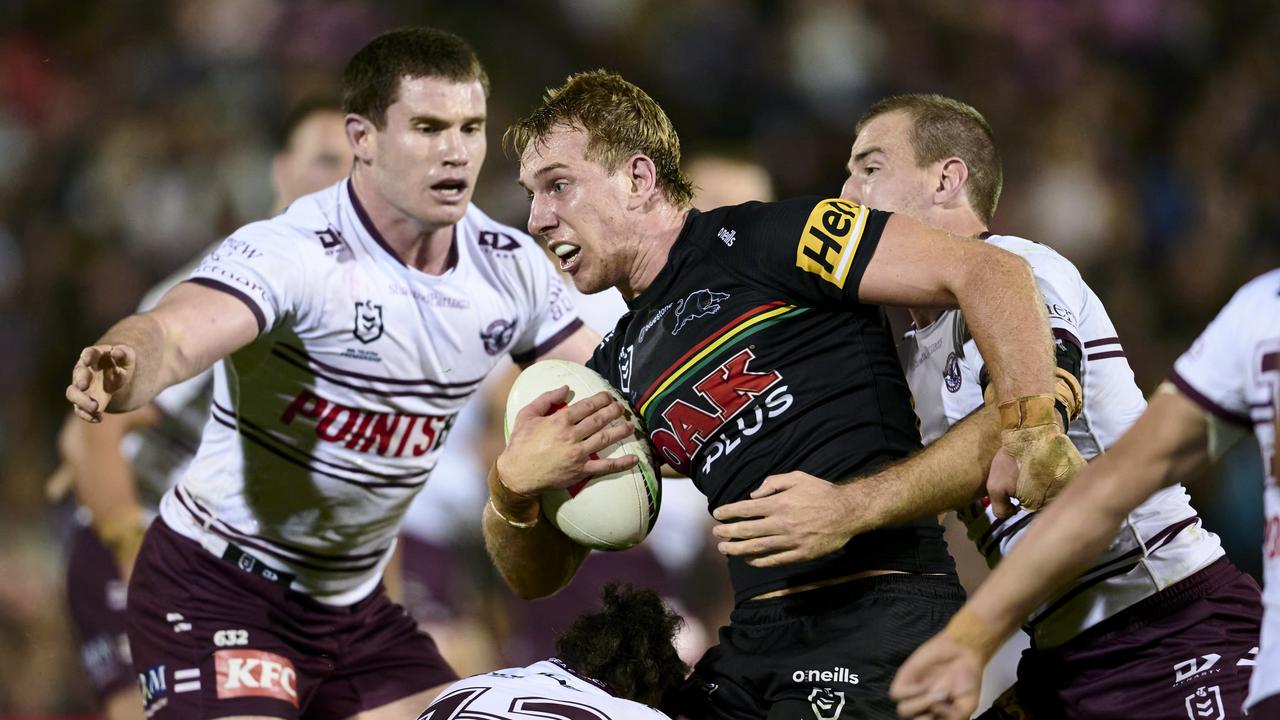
[[1185, 653]]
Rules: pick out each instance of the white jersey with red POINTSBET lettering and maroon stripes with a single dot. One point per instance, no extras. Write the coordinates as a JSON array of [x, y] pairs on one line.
[[326, 427]]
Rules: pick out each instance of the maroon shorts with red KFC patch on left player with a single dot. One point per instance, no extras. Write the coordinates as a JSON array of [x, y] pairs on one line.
[[212, 640]]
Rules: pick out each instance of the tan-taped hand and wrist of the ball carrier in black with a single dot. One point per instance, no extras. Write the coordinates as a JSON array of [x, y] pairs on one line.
[[1036, 461]]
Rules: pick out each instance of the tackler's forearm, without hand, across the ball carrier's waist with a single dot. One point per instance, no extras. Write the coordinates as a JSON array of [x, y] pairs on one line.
[[945, 476]]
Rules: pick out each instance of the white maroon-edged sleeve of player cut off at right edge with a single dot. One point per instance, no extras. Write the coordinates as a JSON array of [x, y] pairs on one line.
[[1215, 370]]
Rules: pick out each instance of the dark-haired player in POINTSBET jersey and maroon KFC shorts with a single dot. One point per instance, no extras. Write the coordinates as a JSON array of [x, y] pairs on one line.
[[354, 326]]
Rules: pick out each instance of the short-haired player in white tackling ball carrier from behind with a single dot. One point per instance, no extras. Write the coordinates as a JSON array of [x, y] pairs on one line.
[[1163, 589]]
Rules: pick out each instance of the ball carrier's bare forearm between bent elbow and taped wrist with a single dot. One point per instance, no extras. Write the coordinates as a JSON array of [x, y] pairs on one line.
[[1004, 309]]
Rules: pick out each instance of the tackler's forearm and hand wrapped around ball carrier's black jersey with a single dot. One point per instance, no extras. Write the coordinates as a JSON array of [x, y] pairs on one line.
[[796, 517]]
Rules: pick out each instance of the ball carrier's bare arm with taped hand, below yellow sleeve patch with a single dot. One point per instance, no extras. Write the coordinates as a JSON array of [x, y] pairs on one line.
[[921, 267]]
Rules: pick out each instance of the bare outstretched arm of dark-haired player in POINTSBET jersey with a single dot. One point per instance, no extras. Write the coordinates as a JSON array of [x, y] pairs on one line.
[[188, 332]]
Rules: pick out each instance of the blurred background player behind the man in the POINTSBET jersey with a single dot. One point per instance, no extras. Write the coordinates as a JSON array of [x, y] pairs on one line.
[[122, 467]]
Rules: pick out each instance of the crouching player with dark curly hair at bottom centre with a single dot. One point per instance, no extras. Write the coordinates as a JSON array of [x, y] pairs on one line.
[[615, 664]]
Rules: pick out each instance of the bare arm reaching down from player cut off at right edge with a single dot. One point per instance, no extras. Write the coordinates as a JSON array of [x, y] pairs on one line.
[[1165, 445]]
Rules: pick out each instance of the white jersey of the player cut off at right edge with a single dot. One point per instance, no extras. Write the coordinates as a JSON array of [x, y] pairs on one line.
[[1233, 372]]
